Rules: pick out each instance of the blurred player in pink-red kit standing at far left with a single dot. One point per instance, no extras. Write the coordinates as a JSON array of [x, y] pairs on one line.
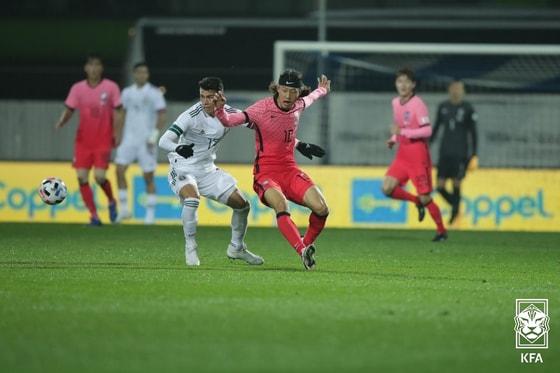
[[99, 103]]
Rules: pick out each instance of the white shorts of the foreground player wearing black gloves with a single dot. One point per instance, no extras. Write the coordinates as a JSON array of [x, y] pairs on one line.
[[215, 184]]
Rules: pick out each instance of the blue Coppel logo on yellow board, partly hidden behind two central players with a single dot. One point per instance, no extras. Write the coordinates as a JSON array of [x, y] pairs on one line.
[[168, 206]]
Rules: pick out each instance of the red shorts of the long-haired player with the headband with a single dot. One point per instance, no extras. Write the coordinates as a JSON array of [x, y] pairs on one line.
[[292, 182]]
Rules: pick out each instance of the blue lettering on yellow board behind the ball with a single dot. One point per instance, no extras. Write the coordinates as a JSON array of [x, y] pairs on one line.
[[27, 199]]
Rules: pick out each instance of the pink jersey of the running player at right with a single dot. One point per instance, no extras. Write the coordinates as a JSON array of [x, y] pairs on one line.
[[413, 119]]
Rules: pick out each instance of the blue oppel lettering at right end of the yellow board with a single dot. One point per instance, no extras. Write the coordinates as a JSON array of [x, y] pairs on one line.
[[505, 207]]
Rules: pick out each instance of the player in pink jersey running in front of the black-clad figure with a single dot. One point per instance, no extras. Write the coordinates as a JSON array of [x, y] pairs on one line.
[[411, 129]]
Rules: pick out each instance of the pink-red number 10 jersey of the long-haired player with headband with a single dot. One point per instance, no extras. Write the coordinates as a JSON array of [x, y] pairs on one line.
[[275, 129]]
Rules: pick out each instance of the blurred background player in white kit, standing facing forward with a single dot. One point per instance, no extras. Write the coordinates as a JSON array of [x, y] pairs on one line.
[[145, 118]]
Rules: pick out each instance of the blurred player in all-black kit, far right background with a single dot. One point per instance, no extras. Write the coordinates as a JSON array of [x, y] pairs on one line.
[[458, 145]]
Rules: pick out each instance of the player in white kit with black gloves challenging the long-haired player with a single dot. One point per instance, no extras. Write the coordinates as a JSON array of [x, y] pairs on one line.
[[191, 142]]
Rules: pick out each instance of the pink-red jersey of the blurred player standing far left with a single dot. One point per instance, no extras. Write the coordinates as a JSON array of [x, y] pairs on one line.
[[95, 105]]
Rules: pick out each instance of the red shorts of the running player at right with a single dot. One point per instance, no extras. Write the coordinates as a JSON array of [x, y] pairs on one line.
[[420, 173]]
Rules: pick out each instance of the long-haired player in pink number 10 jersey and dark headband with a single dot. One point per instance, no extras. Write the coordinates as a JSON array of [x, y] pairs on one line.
[[277, 177]]
